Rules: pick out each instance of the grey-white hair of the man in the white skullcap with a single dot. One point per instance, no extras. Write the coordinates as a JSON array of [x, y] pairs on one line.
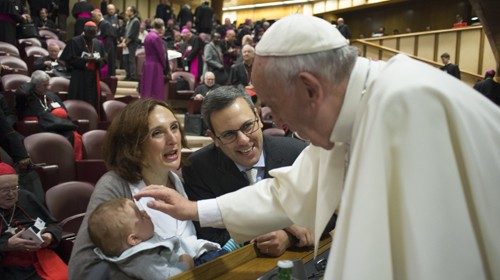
[[333, 65]]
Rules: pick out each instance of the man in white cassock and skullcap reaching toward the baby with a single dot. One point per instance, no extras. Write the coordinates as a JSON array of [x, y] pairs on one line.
[[420, 198]]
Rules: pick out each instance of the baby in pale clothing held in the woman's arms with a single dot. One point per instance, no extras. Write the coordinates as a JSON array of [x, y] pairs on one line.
[[125, 236]]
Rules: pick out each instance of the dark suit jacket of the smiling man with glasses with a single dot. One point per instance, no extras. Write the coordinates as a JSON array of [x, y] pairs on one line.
[[209, 173]]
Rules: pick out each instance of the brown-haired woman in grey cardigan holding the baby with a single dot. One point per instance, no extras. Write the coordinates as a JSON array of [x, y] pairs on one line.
[[143, 147]]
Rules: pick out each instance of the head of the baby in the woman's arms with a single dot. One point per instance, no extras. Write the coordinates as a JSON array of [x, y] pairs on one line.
[[117, 225]]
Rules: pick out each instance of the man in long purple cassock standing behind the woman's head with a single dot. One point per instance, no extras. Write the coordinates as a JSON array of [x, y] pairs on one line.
[[152, 81]]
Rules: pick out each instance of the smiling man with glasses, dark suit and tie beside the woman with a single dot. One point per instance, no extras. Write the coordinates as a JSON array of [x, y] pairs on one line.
[[239, 156]]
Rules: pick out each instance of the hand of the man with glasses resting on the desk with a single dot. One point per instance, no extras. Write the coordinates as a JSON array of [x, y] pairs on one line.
[[273, 244]]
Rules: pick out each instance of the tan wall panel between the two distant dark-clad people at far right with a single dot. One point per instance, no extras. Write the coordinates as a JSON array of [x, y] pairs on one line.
[[469, 51]]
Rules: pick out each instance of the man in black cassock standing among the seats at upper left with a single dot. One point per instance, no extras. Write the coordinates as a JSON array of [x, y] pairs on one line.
[[84, 55]]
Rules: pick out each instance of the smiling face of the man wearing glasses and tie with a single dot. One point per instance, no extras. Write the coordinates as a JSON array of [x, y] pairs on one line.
[[247, 147]]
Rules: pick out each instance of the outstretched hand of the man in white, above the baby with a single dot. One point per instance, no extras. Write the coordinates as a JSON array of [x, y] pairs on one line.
[[171, 202]]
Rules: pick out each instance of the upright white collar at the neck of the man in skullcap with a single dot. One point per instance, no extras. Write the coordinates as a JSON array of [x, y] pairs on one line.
[[355, 88]]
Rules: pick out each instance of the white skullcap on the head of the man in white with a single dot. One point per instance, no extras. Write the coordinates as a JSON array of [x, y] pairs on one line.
[[299, 34]]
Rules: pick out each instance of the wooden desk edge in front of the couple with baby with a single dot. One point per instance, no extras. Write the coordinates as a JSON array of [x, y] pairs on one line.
[[246, 263]]
